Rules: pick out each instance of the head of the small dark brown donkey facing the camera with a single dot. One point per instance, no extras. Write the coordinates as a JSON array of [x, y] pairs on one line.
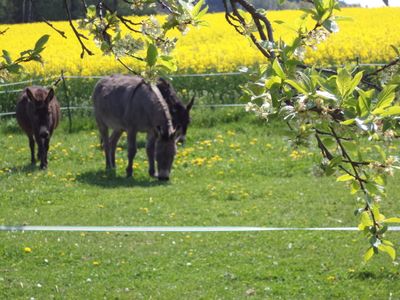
[[39, 99]]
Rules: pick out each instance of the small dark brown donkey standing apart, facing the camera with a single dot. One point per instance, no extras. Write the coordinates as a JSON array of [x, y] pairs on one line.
[[38, 114]]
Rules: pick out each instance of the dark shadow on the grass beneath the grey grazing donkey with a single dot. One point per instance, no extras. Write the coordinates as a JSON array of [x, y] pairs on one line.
[[108, 179]]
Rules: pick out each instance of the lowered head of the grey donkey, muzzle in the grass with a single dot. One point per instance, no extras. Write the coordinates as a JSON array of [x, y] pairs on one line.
[[165, 150]]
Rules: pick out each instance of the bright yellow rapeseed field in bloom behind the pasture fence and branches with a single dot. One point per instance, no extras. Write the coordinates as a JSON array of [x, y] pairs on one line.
[[217, 46]]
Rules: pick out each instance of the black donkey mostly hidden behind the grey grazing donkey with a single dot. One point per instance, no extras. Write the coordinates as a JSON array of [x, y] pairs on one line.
[[179, 112]]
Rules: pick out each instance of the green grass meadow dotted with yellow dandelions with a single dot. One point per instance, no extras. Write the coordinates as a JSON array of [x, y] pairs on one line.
[[234, 171]]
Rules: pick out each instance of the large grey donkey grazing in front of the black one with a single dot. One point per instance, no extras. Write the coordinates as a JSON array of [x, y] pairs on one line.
[[128, 103]]
